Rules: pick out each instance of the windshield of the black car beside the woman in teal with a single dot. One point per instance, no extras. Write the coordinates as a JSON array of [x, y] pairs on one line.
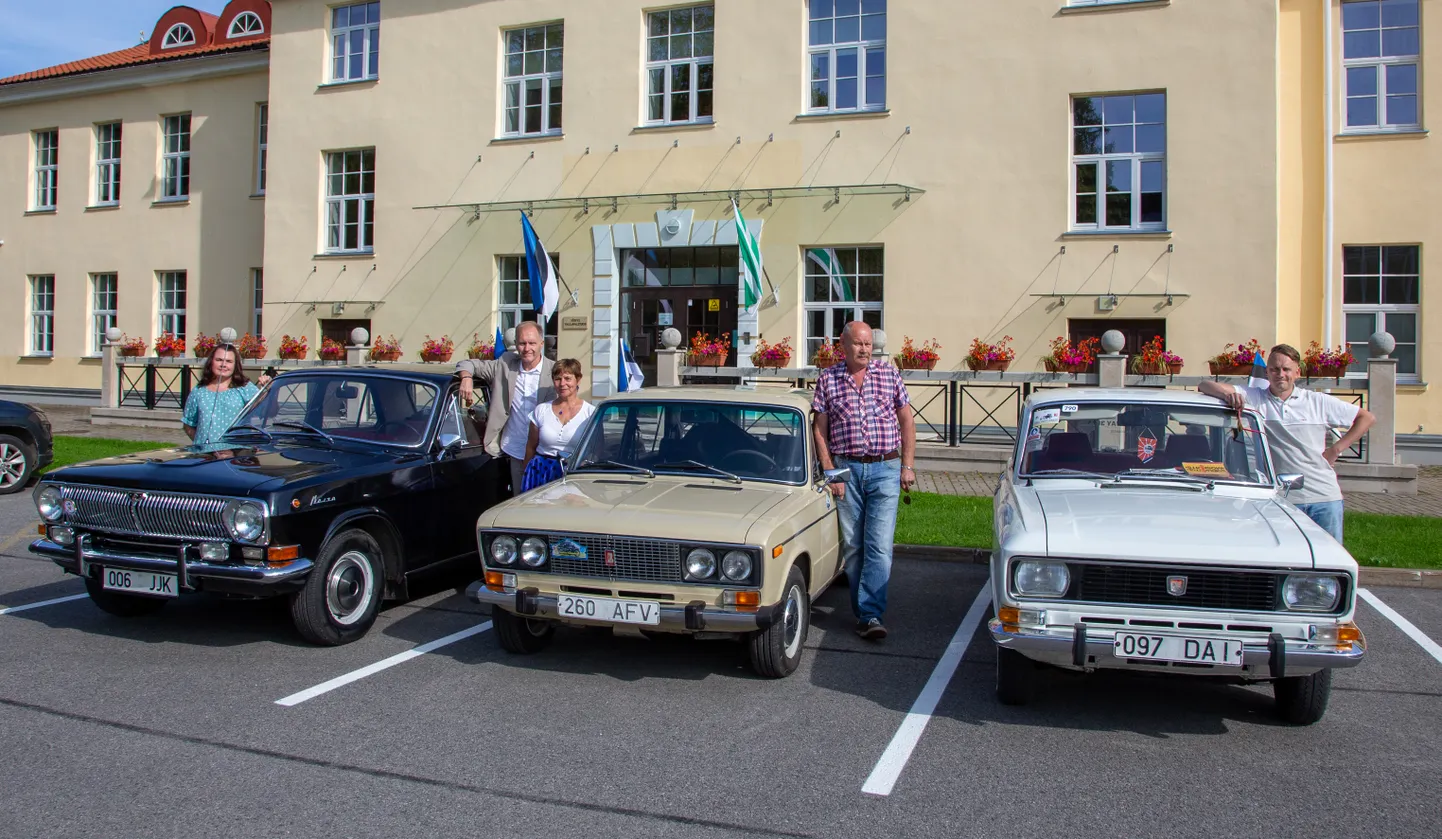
[[335, 407]]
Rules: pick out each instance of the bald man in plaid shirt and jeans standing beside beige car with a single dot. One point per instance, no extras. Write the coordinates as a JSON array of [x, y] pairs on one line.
[[864, 425]]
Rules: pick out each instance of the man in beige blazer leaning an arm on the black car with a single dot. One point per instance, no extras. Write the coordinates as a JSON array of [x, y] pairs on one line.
[[517, 384]]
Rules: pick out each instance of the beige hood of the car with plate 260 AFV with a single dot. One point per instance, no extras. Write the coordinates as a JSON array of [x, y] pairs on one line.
[[661, 508]]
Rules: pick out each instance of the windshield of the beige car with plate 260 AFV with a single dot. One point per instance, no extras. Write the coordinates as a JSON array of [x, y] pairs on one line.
[[703, 439]]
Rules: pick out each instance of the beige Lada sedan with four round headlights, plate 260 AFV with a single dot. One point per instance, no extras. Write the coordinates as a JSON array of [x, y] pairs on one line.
[[683, 511]]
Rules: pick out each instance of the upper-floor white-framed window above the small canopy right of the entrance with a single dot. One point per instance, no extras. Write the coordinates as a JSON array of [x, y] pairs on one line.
[[1120, 162]]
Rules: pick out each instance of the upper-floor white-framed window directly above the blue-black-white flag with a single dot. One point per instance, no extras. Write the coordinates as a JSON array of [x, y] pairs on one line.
[[533, 80]]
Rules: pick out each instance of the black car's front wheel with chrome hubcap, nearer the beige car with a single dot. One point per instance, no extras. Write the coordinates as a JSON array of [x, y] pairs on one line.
[[344, 592]]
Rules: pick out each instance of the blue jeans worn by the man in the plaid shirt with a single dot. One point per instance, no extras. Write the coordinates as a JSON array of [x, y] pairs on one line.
[[869, 525]]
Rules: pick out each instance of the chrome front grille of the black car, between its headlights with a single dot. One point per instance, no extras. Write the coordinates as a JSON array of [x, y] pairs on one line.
[[146, 514]]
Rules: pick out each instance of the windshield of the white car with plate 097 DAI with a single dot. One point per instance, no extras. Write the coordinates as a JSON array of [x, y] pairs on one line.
[[1144, 440]]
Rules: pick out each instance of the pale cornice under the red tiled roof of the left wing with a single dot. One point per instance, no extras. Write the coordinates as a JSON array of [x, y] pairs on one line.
[[205, 67]]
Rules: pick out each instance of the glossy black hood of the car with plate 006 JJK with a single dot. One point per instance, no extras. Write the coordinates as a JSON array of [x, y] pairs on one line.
[[231, 472]]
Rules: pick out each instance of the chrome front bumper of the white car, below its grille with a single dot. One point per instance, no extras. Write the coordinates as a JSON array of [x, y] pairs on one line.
[[1265, 660]]
